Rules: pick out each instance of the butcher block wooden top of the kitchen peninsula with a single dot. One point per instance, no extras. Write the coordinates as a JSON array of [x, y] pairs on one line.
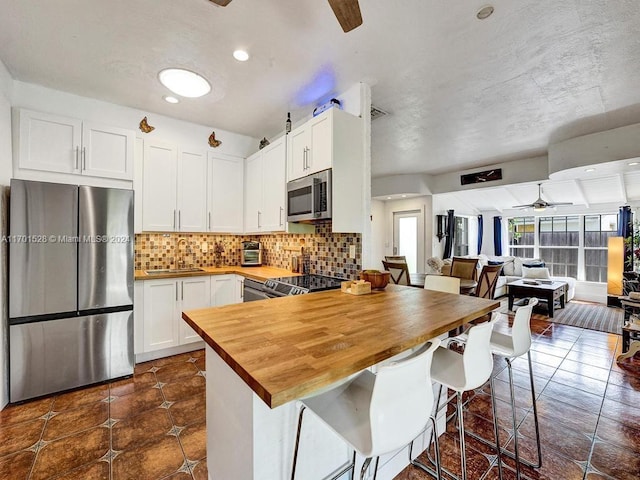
[[286, 348]]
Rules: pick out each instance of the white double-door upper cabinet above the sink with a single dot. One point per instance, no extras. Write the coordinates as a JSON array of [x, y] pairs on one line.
[[174, 189]]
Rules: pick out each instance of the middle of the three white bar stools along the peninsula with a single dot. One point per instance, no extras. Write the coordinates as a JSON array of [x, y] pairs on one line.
[[464, 372]]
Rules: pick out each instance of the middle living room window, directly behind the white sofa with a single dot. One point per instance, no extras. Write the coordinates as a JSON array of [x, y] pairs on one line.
[[559, 244]]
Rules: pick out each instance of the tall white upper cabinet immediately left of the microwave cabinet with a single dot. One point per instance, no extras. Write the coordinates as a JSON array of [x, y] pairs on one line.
[[265, 189]]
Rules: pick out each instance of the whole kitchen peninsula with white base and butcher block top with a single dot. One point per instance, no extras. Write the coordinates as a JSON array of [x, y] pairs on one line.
[[262, 356]]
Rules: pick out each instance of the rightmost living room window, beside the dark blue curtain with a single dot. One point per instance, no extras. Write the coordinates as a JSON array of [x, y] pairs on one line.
[[597, 230]]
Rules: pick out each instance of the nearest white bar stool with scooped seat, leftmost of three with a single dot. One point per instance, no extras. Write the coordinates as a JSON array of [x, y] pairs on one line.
[[378, 413]]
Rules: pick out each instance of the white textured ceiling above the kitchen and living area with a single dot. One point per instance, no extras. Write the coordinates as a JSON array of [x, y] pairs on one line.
[[461, 93]]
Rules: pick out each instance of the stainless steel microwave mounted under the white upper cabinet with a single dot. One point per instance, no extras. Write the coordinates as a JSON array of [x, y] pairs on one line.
[[309, 198]]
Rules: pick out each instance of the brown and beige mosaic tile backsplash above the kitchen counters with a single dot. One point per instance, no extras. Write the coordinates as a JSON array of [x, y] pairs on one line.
[[328, 252]]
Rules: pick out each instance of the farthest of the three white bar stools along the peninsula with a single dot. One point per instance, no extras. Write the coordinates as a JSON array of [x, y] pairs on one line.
[[511, 346]]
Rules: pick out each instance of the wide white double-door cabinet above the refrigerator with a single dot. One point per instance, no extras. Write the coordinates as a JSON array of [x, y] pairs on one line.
[[53, 143]]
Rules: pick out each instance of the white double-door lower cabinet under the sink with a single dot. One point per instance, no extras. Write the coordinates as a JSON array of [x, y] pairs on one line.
[[164, 301]]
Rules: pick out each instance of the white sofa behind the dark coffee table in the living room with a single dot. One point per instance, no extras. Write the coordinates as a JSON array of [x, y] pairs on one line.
[[516, 268]]
